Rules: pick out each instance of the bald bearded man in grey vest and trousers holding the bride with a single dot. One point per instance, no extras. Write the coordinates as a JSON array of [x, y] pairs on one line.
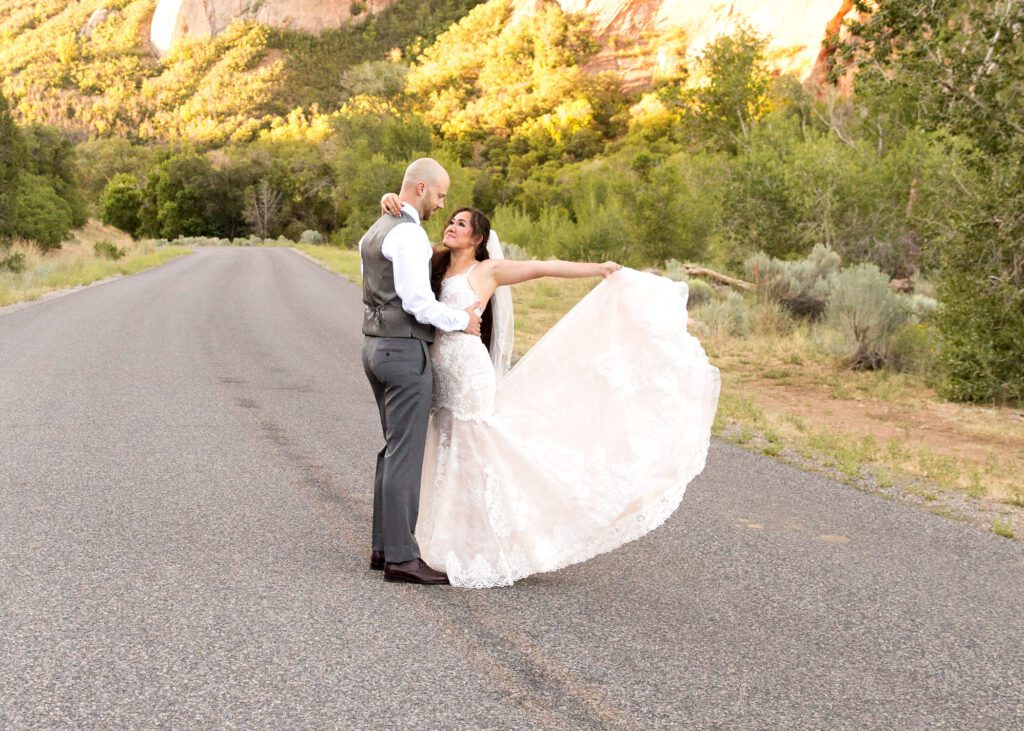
[[399, 322]]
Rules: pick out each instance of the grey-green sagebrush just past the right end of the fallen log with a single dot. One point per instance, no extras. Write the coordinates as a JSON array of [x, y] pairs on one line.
[[801, 286]]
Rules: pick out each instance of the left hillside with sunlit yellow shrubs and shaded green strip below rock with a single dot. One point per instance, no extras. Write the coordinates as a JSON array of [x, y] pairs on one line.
[[104, 78]]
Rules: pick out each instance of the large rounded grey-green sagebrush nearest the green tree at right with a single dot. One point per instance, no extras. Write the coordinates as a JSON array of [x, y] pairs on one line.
[[863, 316]]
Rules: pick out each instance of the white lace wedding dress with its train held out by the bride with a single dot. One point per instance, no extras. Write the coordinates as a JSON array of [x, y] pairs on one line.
[[589, 442]]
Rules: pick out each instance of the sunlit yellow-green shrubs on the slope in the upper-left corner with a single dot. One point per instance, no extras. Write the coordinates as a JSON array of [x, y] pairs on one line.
[[110, 82]]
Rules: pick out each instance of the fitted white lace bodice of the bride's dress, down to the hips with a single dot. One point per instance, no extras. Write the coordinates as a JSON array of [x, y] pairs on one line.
[[464, 376]]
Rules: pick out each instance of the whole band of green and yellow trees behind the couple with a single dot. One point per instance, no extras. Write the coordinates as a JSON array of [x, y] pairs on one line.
[[918, 174]]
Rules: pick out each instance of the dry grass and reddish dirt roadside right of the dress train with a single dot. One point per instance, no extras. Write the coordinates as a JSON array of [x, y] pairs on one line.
[[891, 424]]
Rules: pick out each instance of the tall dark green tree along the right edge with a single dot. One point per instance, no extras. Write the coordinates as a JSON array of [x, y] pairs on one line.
[[959, 67]]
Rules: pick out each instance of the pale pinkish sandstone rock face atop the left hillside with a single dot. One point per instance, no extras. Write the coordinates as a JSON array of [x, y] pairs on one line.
[[175, 20]]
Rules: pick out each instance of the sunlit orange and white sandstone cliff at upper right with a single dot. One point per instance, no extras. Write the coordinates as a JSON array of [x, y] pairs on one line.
[[646, 38]]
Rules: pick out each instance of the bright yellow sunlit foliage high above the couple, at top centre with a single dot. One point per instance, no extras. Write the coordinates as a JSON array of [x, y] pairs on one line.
[[497, 69]]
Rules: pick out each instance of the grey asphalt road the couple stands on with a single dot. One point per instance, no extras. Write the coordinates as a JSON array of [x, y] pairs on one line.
[[186, 460]]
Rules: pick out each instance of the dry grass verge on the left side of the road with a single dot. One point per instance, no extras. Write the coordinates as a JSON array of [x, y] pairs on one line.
[[76, 264]]
